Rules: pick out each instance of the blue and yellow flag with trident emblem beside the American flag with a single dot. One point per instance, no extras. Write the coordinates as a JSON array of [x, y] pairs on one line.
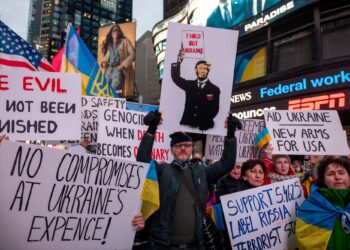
[[78, 59]]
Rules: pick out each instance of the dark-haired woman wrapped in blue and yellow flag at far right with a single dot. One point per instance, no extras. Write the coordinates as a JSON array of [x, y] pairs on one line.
[[323, 220]]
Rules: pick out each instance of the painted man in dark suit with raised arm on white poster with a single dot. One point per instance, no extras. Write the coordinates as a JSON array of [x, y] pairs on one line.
[[202, 96]]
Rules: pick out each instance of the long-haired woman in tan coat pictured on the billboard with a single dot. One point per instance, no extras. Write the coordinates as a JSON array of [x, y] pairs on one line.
[[119, 55]]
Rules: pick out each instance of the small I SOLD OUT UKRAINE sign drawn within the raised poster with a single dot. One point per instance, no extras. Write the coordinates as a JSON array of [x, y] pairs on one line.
[[193, 44]]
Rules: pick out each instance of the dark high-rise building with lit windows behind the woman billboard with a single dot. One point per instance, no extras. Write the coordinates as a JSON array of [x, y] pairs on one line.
[[88, 15]]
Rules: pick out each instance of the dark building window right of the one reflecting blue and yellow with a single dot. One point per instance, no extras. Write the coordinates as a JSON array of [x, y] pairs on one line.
[[292, 51]]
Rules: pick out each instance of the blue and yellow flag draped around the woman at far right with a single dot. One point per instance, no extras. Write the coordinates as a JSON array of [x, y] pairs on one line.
[[316, 221]]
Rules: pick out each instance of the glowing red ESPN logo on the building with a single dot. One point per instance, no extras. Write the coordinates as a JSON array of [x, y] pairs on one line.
[[331, 101]]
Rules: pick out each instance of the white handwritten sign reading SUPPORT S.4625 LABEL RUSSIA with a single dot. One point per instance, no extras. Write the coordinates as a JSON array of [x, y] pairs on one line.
[[263, 217]]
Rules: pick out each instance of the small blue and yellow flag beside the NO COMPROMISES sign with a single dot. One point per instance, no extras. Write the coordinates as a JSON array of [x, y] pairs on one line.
[[150, 192]]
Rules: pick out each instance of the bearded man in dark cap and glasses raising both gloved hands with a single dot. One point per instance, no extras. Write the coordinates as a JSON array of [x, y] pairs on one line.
[[177, 224]]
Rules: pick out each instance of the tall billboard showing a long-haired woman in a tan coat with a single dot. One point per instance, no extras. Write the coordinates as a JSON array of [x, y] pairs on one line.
[[116, 55]]
